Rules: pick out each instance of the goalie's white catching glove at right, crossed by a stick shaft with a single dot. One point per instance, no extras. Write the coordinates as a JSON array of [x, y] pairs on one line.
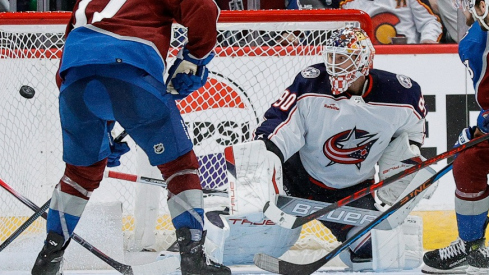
[[398, 156]]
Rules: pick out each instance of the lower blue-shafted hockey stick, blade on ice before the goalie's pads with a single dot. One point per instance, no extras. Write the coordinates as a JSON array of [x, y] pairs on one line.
[[275, 265]]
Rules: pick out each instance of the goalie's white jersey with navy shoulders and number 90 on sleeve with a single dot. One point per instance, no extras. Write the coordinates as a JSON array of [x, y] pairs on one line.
[[341, 138]]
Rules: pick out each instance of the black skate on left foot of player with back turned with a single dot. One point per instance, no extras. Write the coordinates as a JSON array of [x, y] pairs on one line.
[[50, 259]]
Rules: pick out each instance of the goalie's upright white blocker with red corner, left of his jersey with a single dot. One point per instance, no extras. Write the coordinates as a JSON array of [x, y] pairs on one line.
[[254, 176]]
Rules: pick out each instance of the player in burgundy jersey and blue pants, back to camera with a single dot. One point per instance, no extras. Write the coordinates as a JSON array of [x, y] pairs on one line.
[[112, 70]]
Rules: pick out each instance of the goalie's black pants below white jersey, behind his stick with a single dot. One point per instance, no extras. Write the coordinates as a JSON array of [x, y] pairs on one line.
[[298, 183]]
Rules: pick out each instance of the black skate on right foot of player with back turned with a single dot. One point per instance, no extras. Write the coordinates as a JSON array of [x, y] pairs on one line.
[[193, 259]]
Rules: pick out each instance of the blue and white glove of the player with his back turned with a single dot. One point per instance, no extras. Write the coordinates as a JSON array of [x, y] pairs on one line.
[[187, 74]]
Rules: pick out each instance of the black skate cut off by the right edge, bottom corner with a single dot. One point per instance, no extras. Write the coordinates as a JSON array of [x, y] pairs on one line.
[[478, 258]]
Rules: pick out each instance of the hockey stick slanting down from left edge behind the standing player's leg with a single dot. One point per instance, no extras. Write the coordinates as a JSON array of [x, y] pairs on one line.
[[164, 266]]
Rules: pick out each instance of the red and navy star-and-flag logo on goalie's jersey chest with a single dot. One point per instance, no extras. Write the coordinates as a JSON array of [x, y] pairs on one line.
[[349, 147]]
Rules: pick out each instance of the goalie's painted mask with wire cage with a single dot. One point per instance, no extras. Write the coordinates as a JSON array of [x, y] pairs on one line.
[[348, 55]]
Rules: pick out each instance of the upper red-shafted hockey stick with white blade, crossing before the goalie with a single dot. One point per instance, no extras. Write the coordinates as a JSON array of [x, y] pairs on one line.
[[288, 221]]
